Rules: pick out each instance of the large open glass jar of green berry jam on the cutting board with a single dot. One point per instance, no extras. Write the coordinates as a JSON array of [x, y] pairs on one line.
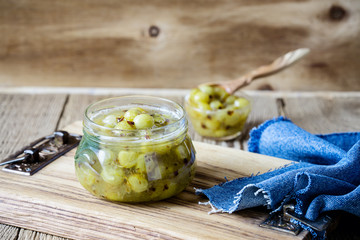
[[135, 149]]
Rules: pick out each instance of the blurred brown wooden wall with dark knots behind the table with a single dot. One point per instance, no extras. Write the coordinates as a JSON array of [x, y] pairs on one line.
[[177, 44]]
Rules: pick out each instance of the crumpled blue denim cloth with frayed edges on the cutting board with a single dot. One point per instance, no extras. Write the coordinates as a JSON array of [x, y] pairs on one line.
[[325, 177]]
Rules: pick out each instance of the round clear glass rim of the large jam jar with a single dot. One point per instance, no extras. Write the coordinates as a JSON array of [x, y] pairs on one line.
[[137, 100]]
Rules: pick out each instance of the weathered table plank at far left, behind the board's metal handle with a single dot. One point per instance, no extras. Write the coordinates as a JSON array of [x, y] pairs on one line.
[[26, 117]]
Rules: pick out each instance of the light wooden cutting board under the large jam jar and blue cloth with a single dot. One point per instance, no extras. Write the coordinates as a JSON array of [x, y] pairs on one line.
[[53, 201]]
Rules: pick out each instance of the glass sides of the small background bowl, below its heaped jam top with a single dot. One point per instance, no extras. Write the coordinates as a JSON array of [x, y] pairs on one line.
[[218, 124]]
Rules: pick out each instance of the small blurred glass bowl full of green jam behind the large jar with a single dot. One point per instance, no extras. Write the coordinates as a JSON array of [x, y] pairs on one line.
[[216, 114]]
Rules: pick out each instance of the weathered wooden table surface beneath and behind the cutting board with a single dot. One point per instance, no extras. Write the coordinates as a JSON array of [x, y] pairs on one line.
[[29, 113]]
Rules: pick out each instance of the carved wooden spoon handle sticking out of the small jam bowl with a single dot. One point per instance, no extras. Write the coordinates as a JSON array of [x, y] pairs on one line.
[[276, 66]]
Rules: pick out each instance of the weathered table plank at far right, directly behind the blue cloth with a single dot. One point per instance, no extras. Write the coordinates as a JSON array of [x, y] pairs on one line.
[[327, 114]]
